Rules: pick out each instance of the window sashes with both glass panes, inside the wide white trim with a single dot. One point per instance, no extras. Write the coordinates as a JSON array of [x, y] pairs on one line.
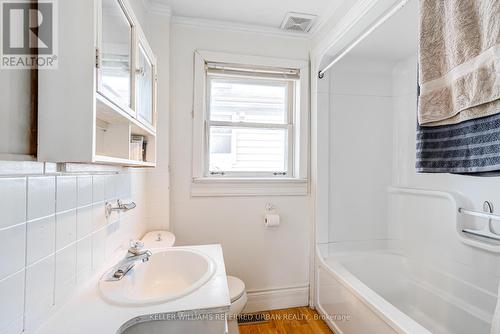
[[249, 122]]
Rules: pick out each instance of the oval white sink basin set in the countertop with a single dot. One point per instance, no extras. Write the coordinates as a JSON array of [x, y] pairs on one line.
[[169, 274]]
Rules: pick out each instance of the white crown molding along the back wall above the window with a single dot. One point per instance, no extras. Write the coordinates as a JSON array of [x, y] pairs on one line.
[[234, 26]]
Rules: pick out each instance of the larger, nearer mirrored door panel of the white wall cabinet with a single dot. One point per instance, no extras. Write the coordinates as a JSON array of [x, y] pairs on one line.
[[116, 33]]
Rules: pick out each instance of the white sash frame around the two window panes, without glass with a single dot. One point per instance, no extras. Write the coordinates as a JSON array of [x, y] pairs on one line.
[[291, 102]]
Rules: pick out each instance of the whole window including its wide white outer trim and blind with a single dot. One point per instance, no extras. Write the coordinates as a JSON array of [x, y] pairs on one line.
[[250, 119]]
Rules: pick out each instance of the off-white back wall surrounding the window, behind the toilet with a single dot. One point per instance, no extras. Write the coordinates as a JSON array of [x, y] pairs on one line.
[[264, 259]]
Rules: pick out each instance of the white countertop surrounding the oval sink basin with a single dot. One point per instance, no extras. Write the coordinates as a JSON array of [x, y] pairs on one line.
[[87, 312]]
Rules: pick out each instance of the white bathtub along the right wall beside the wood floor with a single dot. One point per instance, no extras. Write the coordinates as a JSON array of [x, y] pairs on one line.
[[382, 291]]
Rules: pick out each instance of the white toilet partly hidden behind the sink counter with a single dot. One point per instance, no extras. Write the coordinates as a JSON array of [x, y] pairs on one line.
[[237, 294]]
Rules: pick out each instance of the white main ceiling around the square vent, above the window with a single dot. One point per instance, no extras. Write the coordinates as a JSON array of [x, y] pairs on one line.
[[262, 13]]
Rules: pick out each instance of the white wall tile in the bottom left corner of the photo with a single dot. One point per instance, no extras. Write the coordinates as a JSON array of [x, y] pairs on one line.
[[11, 312]]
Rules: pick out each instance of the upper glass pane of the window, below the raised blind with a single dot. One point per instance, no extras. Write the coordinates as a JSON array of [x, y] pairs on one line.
[[254, 101]]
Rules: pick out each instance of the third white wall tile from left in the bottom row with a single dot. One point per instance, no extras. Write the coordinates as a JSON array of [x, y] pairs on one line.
[[65, 273]]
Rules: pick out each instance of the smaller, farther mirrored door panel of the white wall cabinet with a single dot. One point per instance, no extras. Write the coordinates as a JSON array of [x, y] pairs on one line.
[[145, 77]]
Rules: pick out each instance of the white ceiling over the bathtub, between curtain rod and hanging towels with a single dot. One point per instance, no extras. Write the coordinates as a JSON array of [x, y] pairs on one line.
[[397, 38]]
